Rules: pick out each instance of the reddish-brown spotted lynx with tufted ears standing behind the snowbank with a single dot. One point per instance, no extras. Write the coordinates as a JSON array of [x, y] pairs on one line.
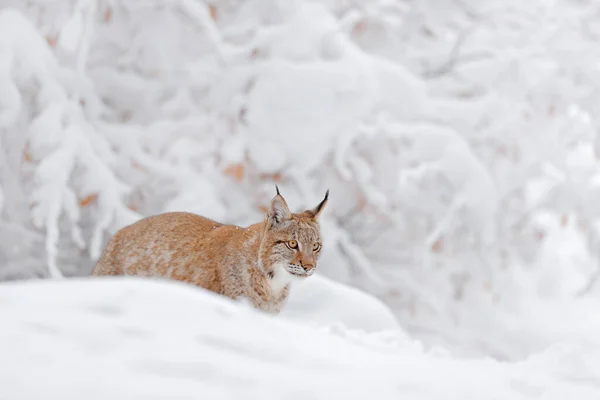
[[258, 262]]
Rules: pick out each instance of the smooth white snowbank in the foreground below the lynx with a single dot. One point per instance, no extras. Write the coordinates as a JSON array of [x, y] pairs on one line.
[[143, 339]]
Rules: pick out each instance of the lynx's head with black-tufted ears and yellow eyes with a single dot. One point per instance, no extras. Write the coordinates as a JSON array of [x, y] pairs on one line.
[[291, 242]]
